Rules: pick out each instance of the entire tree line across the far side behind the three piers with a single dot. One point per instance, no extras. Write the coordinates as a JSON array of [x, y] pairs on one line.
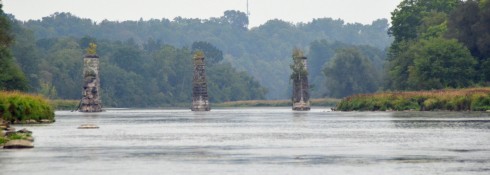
[[430, 44]]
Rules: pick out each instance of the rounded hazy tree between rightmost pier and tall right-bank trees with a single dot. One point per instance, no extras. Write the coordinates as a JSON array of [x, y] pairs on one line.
[[349, 73]]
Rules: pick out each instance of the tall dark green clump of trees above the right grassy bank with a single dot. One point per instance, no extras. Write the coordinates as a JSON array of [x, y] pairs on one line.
[[439, 44]]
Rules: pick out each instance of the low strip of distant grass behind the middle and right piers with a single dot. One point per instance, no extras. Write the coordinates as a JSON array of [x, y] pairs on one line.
[[275, 103]]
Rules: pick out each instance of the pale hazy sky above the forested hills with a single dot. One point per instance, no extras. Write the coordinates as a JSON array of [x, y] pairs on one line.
[[362, 11]]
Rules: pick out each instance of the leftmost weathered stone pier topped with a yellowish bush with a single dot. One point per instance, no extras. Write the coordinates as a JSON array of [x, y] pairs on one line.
[[91, 101]]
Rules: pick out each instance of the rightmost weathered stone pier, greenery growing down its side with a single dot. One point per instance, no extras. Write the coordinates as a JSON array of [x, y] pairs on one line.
[[301, 92]]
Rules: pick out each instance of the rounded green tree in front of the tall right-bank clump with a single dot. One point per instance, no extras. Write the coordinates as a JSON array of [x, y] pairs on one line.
[[441, 63]]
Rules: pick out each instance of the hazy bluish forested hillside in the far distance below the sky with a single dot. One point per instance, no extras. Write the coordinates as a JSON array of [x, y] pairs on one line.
[[263, 52]]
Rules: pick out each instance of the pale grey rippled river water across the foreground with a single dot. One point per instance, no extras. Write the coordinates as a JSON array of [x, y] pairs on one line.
[[256, 141]]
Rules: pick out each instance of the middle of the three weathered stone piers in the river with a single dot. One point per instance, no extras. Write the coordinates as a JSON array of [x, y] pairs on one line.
[[200, 100]]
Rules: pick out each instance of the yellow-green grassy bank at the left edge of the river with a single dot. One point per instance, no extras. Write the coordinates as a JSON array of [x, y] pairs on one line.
[[16, 107]]
